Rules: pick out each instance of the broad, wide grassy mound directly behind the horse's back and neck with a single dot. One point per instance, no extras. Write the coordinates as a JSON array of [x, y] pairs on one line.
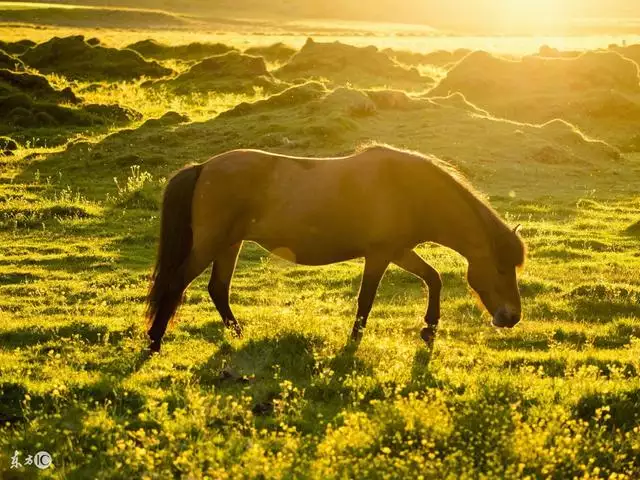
[[312, 118]]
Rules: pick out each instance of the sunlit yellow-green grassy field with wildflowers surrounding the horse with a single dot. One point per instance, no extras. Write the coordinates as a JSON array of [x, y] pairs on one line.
[[556, 397]]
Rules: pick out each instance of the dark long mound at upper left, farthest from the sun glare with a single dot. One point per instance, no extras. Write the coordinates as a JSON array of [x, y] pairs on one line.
[[76, 59]]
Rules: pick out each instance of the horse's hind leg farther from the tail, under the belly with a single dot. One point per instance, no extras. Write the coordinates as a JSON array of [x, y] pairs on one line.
[[220, 283]]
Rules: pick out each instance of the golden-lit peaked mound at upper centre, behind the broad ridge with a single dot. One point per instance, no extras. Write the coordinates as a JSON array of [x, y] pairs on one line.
[[363, 67]]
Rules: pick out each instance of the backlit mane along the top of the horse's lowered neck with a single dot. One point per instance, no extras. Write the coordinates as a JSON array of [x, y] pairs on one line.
[[508, 247]]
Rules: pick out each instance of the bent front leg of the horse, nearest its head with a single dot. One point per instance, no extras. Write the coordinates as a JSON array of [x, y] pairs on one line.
[[414, 264]]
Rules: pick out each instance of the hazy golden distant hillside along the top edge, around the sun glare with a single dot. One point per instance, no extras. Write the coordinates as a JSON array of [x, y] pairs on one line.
[[476, 15]]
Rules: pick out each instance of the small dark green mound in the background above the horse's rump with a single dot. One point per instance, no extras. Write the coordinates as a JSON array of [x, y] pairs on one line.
[[231, 72]]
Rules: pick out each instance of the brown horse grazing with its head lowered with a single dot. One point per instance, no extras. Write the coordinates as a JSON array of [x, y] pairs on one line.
[[378, 204]]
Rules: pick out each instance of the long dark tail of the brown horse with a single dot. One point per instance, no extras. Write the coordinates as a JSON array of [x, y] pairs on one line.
[[176, 241]]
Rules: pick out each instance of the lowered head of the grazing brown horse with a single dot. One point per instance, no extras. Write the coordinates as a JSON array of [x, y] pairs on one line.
[[493, 277]]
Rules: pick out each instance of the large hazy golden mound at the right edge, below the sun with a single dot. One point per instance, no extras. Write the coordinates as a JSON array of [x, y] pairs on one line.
[[598, 91]]
